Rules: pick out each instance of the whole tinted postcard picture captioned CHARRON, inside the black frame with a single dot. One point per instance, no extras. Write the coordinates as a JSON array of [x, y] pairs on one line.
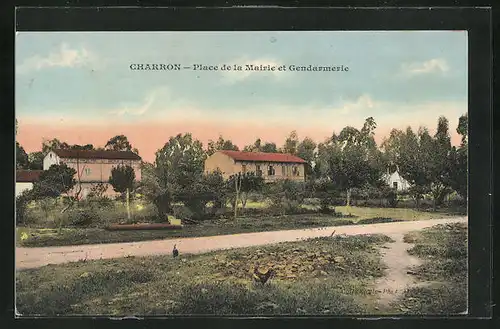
[[241, 173]]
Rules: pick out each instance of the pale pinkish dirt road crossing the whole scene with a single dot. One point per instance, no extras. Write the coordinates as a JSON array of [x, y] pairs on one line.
[[37, 257]]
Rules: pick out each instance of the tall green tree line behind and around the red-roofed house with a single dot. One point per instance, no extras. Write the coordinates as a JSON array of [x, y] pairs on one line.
[[342, 165]]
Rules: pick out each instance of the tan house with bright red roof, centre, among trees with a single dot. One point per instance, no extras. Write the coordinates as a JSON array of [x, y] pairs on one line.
[[271, 166]]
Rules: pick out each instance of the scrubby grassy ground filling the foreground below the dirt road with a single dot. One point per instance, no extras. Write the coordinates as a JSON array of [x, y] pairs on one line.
[[335, 275]]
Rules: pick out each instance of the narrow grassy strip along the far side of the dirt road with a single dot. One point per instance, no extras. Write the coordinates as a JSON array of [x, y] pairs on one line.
[[41, 237]]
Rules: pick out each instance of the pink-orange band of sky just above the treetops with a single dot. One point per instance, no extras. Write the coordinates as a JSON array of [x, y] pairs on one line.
[[149, 137]]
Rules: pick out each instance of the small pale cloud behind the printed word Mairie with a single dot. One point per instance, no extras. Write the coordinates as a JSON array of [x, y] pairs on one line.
[[231, 77]]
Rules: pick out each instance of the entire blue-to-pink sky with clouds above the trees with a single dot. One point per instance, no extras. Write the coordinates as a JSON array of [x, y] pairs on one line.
[[78, 86]]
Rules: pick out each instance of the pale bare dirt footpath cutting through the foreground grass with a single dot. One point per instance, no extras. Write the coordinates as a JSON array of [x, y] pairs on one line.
[[398, 274]]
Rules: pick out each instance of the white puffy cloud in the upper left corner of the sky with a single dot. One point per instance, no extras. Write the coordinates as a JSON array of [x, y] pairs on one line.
[[65, 56]]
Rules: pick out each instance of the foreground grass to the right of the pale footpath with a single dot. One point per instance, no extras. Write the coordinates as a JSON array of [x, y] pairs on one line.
[[443, 275]]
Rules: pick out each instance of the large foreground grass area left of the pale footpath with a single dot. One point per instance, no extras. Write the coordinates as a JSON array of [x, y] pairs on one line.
[[332, 276]]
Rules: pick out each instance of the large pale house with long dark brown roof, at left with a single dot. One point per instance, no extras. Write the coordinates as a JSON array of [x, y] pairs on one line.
[[94, 166]]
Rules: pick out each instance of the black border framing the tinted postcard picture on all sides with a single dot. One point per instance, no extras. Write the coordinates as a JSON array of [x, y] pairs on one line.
[[476, 20]]
